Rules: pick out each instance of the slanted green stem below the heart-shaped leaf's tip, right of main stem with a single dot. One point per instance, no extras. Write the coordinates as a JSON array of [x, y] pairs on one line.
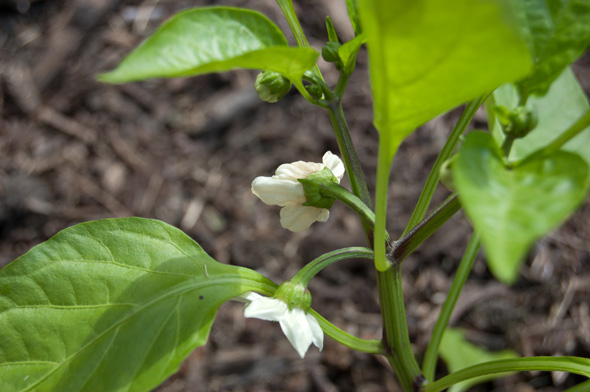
[[431, 355]]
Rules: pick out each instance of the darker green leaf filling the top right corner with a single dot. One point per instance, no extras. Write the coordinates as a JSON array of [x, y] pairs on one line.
[[558, 32]]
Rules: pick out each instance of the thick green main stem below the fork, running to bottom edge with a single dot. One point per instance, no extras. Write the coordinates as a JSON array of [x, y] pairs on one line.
[[397, 338]]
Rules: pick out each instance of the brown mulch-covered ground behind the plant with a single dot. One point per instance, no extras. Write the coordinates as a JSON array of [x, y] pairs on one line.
[[186, 150]]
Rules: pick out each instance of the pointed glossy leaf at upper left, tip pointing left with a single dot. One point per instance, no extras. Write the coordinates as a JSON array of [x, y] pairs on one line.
[[215, 39]]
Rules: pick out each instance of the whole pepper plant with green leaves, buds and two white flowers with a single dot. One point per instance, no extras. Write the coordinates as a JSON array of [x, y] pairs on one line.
[[117, 304]]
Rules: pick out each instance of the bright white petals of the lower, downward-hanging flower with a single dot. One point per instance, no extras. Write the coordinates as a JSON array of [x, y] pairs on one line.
[[300, 328]]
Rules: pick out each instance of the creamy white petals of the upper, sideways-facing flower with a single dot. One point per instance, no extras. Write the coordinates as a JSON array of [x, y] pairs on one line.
[[284, 190]]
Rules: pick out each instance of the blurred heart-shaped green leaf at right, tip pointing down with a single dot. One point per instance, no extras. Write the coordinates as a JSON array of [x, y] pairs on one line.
[[512, 207]]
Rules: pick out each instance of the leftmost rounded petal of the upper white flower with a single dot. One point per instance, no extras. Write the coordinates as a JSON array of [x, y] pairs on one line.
[[278, 192]]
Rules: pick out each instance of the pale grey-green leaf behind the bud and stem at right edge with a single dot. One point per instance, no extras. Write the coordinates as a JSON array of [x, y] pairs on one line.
[[557, 110]]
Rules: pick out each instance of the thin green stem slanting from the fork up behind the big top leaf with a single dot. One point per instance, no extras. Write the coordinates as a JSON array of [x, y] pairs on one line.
[[446, 152]]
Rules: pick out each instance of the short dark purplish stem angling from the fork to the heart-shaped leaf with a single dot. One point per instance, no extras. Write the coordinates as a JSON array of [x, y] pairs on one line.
[[403, 247]]
